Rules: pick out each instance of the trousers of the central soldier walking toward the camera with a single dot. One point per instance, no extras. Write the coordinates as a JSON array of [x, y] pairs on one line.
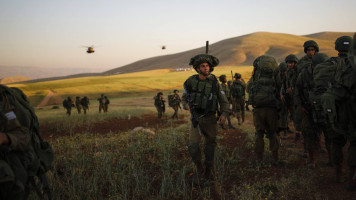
[[209, 129]]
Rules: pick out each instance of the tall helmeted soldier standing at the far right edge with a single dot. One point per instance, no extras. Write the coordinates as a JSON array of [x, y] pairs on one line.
[[339, 118]]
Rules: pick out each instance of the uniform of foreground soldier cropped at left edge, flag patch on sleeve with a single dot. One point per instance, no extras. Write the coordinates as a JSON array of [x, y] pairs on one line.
[[14, 126]]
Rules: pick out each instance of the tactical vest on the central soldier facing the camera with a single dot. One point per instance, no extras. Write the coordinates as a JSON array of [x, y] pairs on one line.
[[200, 91]]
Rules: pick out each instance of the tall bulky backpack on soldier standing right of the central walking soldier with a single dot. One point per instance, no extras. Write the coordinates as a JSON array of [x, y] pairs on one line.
[[263, 89]]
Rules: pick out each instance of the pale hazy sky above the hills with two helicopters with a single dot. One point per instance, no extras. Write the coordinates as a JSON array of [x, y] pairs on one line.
[[51, 33]]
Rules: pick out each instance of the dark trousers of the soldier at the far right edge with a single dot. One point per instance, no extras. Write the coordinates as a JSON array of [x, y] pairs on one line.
[[338, 142]]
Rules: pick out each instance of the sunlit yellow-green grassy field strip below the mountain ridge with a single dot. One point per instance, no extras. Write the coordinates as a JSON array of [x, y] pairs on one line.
[[124, 85]]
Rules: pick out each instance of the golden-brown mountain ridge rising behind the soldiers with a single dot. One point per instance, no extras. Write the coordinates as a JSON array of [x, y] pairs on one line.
[[236, 51]]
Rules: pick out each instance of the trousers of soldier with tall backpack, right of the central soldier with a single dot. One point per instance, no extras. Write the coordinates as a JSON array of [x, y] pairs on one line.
[[265, 121]]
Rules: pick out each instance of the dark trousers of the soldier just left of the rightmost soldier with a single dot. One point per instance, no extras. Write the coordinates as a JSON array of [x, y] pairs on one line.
[[312, 134]]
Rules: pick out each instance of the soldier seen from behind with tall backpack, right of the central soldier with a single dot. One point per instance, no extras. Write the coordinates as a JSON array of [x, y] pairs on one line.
[[263, 96]]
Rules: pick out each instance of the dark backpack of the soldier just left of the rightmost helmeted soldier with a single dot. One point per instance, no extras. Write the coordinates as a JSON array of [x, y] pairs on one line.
[[323, 76]]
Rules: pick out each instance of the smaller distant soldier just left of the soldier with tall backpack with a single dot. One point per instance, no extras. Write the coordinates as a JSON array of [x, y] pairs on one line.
[[238, 88]]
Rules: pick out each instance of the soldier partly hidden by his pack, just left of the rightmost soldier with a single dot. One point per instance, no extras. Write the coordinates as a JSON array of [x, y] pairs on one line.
[[311, 128]]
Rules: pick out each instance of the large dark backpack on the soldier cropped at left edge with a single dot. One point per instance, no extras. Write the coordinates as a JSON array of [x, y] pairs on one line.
[[38, 158]]
